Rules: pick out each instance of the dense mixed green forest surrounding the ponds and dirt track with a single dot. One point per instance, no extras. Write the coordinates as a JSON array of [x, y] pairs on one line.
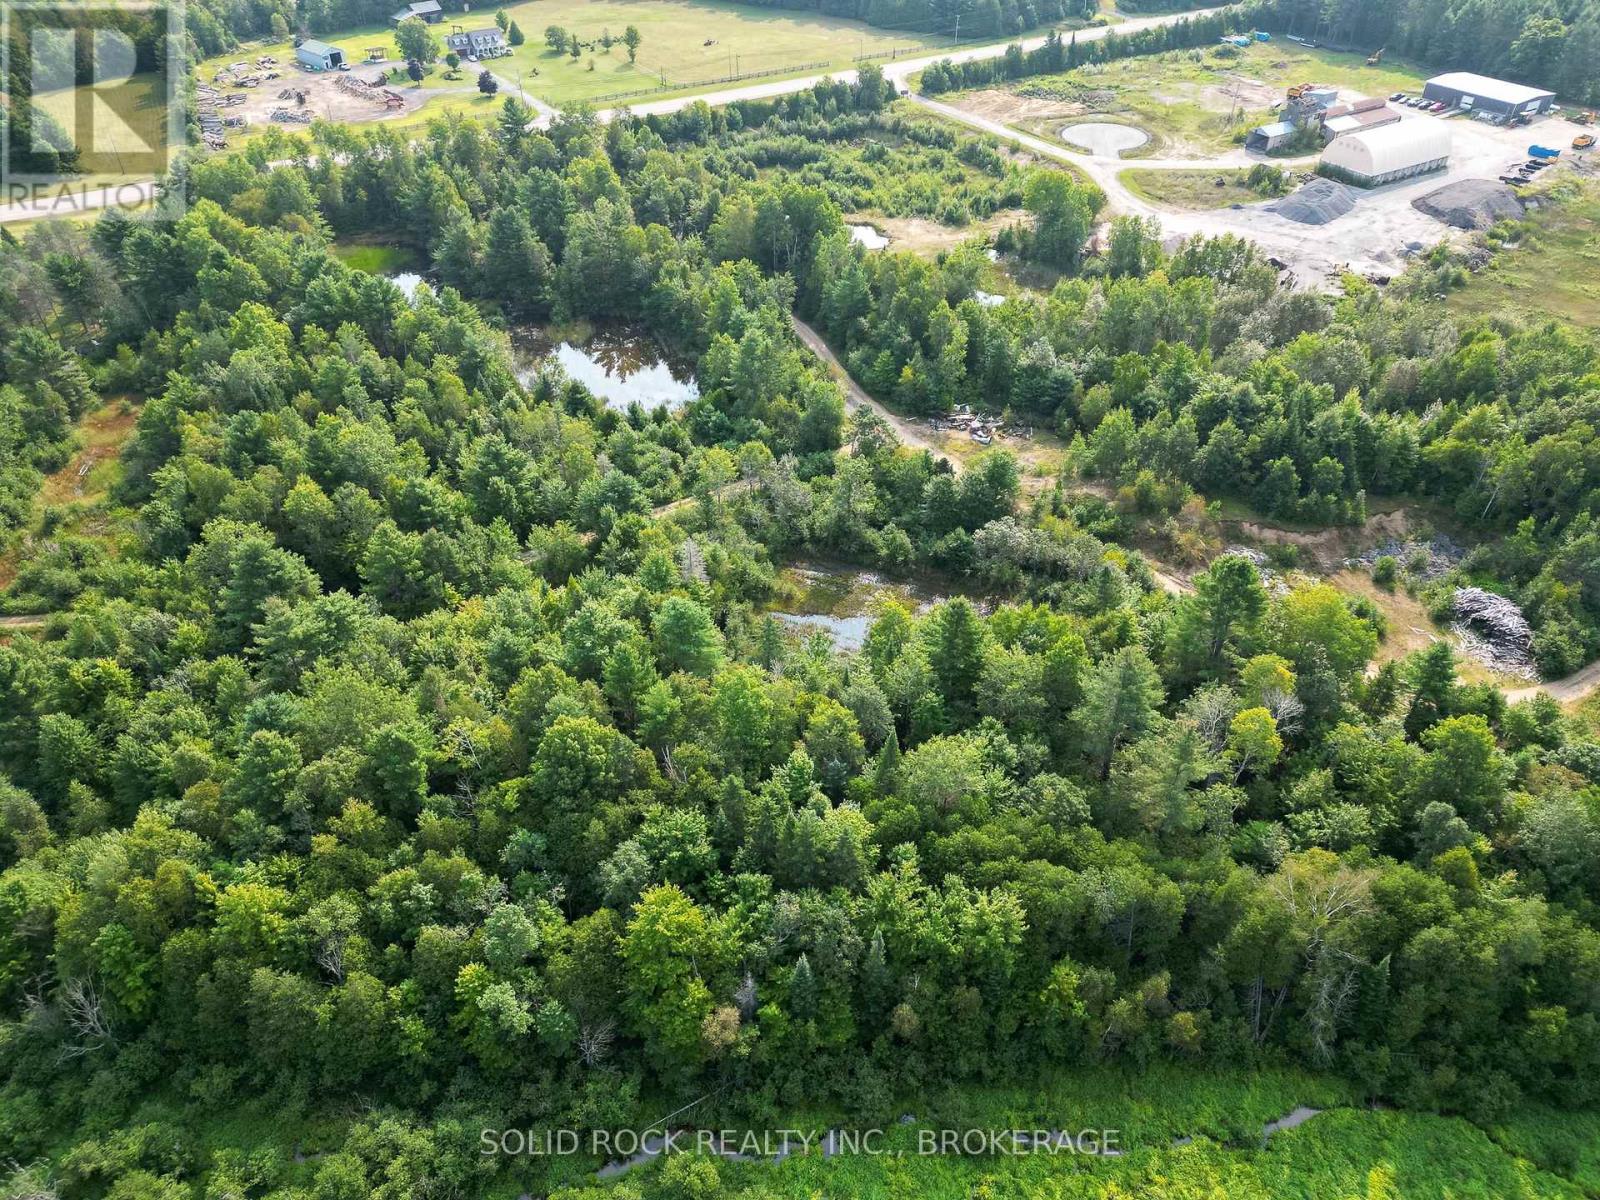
[[417, 743]]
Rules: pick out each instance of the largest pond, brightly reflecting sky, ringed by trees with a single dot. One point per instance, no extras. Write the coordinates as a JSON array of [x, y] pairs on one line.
[[622, 366]]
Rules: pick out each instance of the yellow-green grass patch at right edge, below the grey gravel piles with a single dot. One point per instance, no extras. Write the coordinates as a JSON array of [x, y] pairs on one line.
[[1553, 273]]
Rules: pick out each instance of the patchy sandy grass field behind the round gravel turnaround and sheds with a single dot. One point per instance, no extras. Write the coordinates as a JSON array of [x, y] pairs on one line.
[[1193, 103]]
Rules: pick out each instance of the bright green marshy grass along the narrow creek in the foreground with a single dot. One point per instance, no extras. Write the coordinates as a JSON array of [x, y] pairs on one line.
[[1346, 1151]]
